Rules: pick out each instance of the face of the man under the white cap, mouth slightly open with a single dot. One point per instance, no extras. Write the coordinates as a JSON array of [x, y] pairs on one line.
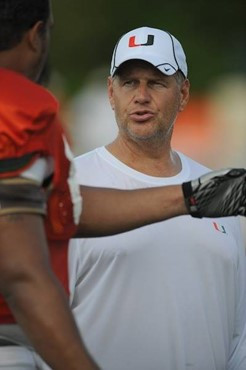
[[146, 102]]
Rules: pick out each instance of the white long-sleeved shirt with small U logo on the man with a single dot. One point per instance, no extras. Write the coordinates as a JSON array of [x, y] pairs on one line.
[[168, 296]]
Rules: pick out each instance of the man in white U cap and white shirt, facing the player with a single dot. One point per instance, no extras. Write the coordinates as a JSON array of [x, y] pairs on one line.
[[170, 295]]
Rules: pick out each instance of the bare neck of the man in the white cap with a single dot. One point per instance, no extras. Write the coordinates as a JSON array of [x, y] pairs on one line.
[[150, 160]]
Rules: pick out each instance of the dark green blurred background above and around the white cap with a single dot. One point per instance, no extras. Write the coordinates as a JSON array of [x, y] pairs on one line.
[[213, 34]]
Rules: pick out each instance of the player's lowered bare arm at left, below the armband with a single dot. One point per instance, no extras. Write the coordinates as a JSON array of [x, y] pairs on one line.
[[34, 295]]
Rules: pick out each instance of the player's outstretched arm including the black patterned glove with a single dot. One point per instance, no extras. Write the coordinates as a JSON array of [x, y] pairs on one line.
[[109, 211]]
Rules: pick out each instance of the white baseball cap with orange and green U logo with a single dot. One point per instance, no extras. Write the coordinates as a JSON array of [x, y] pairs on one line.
[[155, 46]]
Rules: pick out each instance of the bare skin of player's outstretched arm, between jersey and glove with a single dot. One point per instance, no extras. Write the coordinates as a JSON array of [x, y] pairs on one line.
[[109, 211]]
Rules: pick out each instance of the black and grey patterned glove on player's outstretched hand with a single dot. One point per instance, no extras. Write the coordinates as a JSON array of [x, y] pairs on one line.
[[217, 194]]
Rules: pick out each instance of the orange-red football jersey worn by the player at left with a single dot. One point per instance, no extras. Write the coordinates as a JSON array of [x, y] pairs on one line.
[[30, 128]]
